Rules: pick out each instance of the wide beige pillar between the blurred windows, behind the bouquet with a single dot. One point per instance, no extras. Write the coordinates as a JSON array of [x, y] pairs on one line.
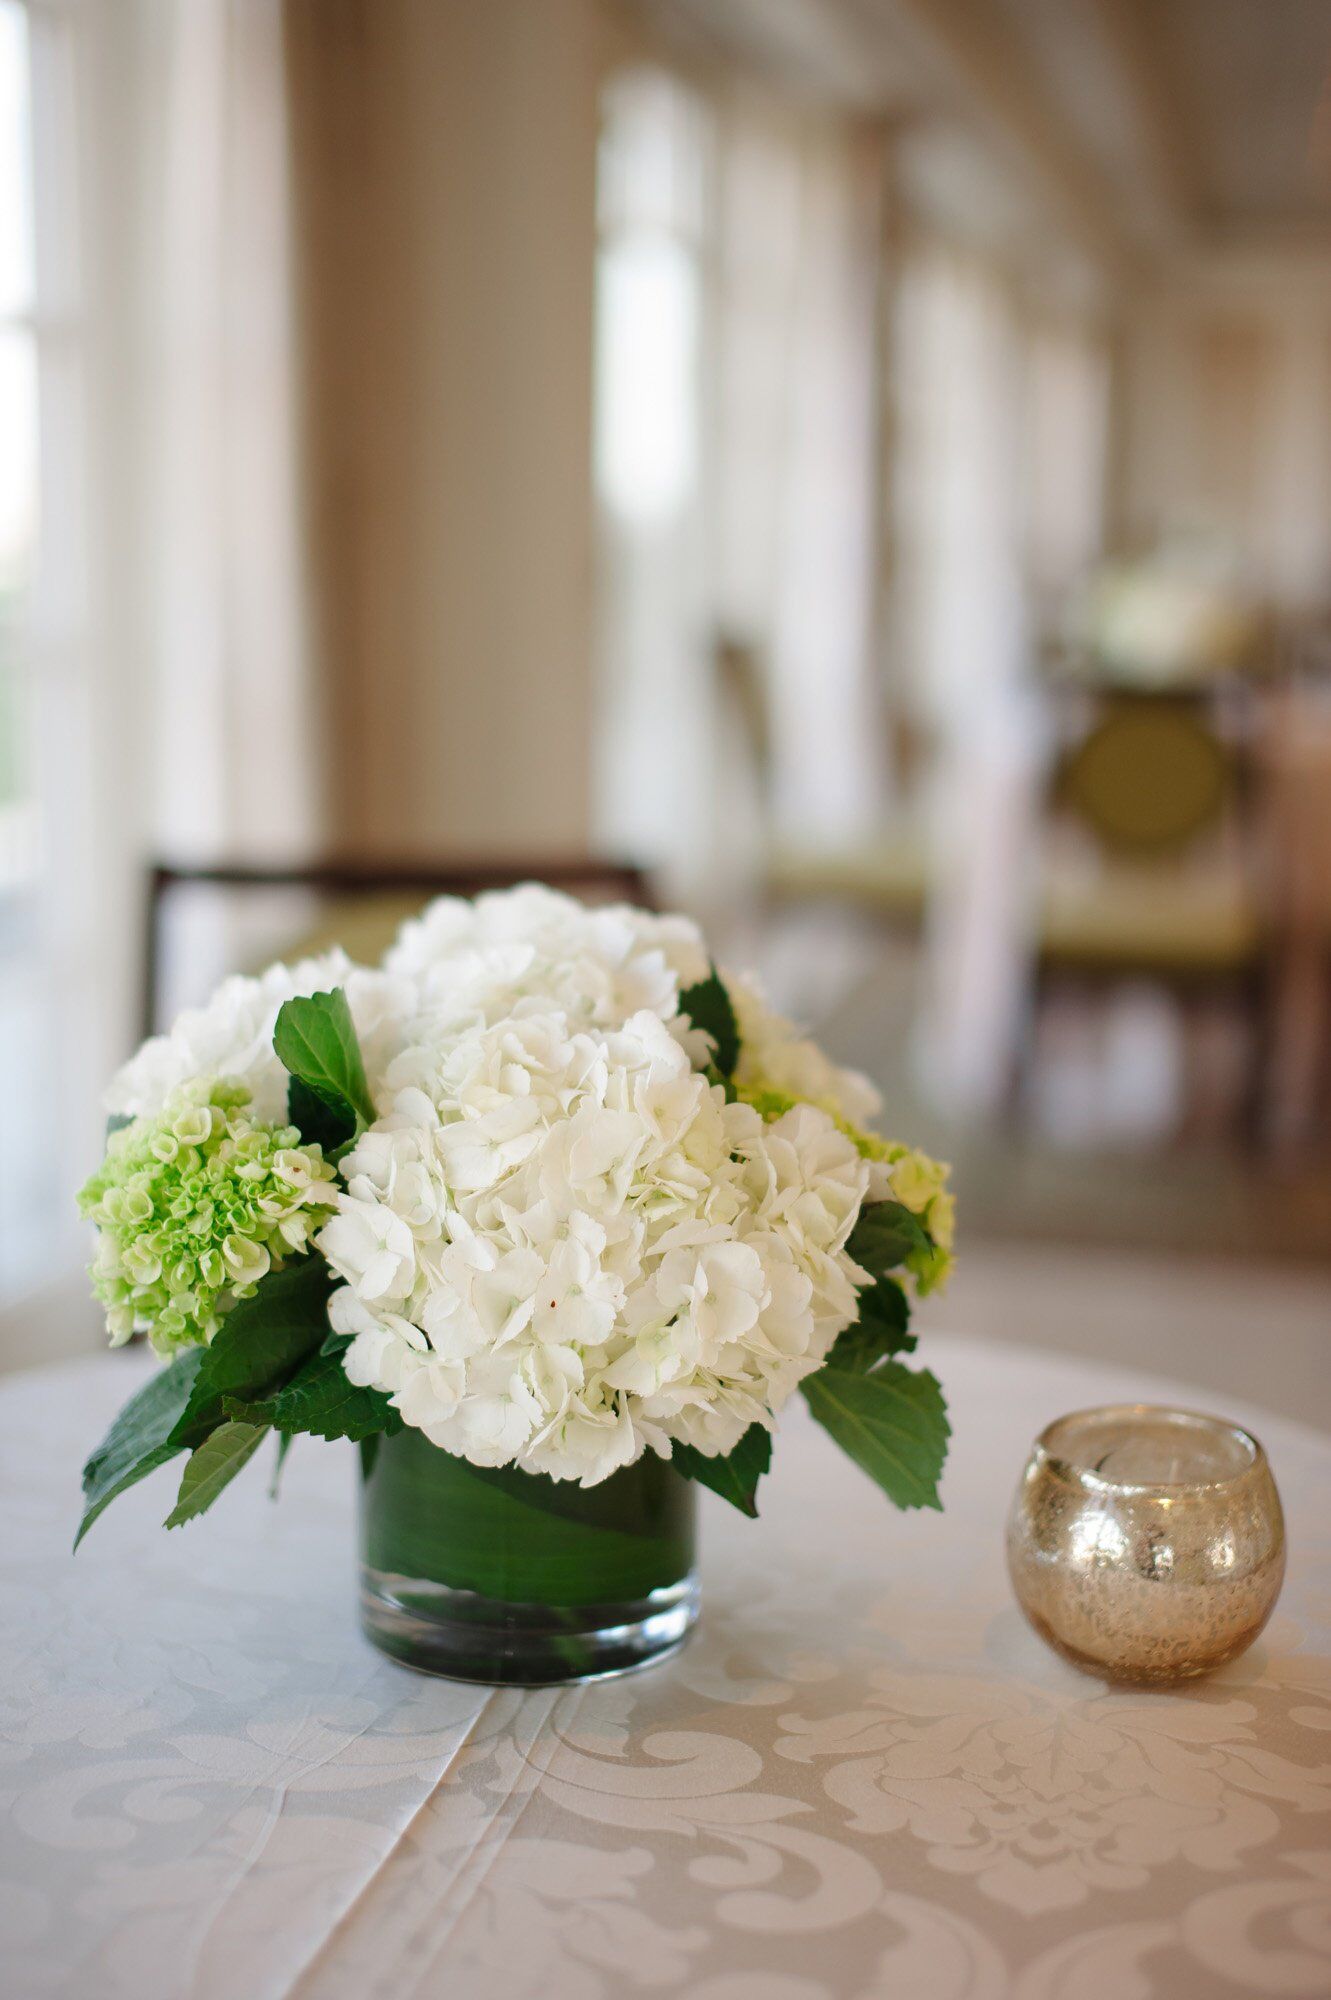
[[447, 171]]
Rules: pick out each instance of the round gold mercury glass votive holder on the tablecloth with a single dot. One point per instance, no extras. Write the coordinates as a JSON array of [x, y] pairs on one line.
[[1146, 1545]]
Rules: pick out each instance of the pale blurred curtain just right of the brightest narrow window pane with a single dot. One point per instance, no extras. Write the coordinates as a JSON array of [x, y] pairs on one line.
[[794, 439]]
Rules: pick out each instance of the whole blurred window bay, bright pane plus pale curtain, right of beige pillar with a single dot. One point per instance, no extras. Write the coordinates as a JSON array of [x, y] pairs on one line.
[[736, 475]]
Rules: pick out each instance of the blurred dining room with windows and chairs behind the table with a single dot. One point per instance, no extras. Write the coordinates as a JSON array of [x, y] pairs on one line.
[[862, 463]]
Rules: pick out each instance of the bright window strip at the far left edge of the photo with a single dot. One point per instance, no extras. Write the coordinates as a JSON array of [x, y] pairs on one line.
[[43, 663]]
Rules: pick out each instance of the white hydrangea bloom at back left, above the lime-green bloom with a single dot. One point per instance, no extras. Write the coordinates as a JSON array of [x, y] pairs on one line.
[[233, 1037]]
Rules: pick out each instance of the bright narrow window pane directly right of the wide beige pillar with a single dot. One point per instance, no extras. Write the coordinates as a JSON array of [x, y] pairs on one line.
[[653, 745]]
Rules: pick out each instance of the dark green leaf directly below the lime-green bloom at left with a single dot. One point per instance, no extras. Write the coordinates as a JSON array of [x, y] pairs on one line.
[[261, 1345]]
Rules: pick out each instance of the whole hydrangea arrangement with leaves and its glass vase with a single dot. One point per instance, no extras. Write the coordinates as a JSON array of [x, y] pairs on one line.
[[553, 1221]]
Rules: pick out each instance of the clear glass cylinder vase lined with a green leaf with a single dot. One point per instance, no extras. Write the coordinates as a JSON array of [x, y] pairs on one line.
[[507, 1577]]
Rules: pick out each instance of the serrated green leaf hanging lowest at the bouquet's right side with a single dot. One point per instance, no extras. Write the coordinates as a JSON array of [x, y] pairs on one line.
[[892, 1423]]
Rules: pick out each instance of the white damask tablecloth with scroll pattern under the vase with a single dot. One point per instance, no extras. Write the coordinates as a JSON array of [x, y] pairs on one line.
[[864, 1777]]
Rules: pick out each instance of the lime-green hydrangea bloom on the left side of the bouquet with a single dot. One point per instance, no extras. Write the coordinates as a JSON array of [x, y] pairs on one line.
[[195, 1207]]
